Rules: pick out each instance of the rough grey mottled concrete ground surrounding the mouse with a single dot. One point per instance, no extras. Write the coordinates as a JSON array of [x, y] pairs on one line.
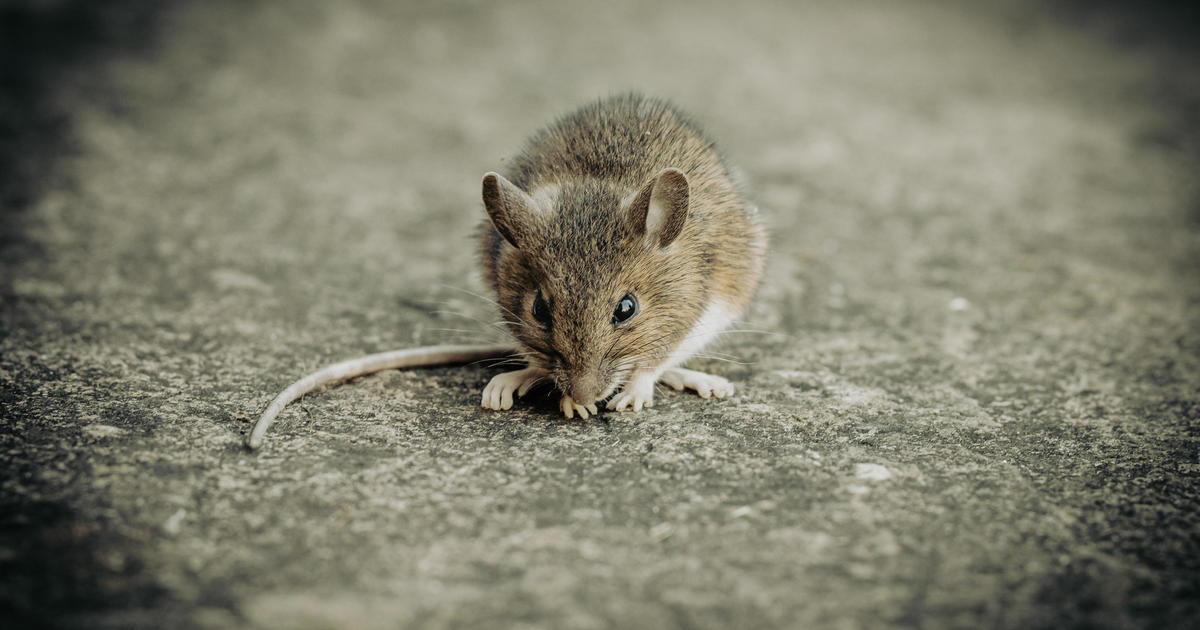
[[968, 388]]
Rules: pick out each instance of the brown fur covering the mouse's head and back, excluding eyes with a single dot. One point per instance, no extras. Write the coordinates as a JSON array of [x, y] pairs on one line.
[[583, 243]]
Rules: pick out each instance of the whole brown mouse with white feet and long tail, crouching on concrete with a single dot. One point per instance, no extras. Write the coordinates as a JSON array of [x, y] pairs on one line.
[[617, 245]]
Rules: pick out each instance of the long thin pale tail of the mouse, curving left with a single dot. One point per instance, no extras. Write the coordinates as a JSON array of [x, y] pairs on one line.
[[427, 357]]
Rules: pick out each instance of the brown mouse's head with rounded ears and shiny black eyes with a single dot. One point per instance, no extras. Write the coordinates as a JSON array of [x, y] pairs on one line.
[[596, 283]]
